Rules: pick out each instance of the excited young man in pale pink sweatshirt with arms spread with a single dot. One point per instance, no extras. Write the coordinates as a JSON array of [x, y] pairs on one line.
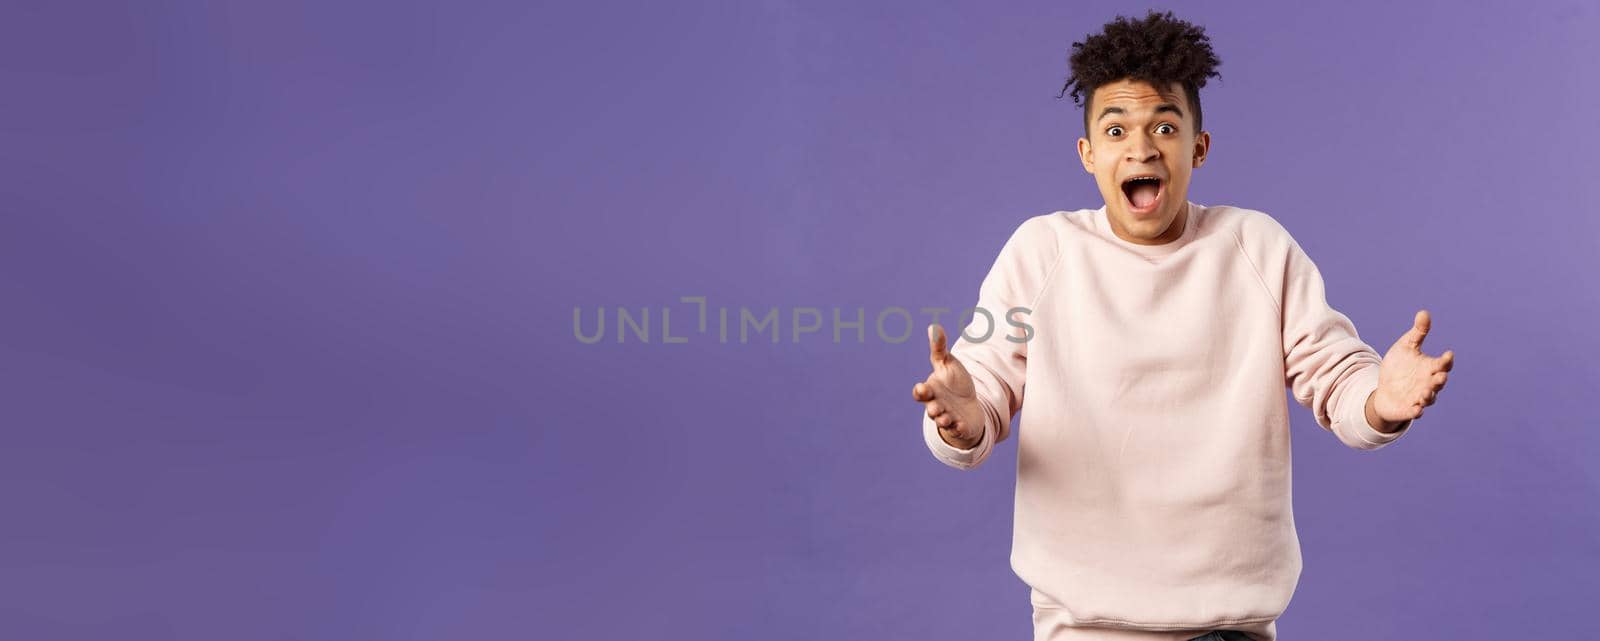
[[1153, 495]]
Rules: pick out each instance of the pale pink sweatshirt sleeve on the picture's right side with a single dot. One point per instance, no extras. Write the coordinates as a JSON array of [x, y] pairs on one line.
[[1329, 368]]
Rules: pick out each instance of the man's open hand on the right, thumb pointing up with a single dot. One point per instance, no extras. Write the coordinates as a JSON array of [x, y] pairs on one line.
[[1409, 380]]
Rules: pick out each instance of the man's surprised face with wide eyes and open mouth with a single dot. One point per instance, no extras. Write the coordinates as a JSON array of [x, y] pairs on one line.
[[1142, 149]]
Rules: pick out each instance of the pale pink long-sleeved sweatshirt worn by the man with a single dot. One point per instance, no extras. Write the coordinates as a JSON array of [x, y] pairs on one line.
[[1153, 485]]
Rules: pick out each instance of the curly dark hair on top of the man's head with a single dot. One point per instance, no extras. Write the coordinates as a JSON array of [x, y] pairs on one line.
[[1158, 49]]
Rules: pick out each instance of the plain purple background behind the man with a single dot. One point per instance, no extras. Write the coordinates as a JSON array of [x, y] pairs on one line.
[[289, 301]]
